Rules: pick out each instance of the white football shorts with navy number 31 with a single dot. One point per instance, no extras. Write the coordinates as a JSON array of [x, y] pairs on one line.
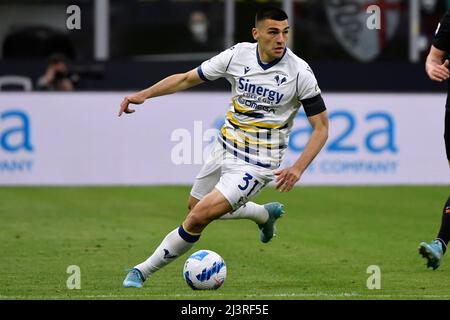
[[236, 179]]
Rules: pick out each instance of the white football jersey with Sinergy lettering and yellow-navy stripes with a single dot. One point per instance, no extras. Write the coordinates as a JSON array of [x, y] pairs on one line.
[[265, 100]]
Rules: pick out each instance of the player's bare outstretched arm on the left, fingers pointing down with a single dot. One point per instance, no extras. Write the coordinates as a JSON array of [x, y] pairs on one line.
[[171, 84]]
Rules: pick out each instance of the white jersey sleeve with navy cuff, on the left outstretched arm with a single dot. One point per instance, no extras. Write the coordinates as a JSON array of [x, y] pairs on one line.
[[217, 66]]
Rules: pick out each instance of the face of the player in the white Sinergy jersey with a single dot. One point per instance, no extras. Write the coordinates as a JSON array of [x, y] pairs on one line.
[[272, 38]]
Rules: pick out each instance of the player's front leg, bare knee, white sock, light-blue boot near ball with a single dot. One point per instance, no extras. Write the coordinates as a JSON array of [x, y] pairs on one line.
[[180, 240]]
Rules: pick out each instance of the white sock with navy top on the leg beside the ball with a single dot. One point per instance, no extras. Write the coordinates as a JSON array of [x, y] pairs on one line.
[[175, 244]]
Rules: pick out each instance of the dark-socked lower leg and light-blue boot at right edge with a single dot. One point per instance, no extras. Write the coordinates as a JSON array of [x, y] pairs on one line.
[[435, 250]]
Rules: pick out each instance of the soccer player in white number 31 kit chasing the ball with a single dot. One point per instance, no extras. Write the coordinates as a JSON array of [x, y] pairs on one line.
[[269, 84]]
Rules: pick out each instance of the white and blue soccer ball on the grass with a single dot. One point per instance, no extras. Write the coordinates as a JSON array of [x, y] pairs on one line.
[[204, 270]]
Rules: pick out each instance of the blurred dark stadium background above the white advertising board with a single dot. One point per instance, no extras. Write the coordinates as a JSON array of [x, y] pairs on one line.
[[126, 45]]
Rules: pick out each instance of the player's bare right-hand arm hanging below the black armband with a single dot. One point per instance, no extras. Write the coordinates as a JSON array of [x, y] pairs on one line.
[[288, 177]]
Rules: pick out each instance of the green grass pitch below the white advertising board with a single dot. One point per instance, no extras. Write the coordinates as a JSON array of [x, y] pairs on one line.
[[325, 243]]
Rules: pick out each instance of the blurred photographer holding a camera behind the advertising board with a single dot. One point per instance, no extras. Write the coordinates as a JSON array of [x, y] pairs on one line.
[[57, 76]]
